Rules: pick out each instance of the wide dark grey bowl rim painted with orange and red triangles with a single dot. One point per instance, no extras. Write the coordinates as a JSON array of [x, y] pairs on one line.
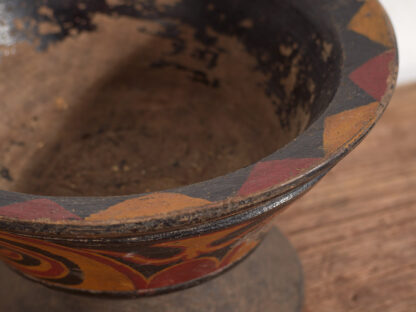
[[367, 79]]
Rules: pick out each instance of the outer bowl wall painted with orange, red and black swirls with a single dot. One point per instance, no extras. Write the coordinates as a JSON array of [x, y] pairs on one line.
[[129, 268]]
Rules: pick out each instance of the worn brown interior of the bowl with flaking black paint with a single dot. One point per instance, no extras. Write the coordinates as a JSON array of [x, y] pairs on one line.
[[119, 97]]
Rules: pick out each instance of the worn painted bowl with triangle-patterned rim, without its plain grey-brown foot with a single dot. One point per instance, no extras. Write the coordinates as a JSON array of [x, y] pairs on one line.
[[211, 115]]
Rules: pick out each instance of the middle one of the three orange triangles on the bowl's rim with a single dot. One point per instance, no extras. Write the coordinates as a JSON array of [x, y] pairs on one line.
[[341, 128]]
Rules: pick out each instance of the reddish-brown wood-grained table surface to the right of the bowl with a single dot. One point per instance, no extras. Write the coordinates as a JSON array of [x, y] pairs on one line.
[[356, 230]]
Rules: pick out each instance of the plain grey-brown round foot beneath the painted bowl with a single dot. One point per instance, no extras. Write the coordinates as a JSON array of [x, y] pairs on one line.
[[270, 279]]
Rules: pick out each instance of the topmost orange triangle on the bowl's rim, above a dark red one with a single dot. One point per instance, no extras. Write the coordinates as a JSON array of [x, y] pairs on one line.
[[371, 22]]
